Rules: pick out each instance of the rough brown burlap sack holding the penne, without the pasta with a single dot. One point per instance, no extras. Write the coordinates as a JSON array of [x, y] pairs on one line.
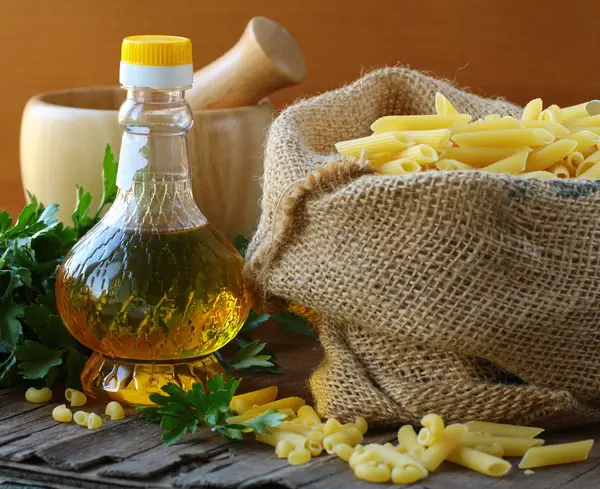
[[472, 295]]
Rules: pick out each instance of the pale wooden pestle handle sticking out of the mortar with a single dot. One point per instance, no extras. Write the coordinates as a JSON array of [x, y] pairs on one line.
[[265, 59]]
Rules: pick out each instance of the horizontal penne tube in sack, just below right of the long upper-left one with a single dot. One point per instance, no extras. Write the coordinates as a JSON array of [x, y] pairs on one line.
[[508, 138]]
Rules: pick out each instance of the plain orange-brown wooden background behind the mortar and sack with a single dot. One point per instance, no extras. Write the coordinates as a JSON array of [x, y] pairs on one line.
[[516, 48]]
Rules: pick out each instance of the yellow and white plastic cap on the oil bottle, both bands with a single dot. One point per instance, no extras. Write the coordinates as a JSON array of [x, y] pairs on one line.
[[159, 62]]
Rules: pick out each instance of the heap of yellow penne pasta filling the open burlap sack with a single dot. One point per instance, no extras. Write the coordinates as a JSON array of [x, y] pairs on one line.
[[553, 141]]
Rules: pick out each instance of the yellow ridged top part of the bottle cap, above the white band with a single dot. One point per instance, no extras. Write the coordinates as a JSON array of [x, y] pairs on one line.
[[151, 50]]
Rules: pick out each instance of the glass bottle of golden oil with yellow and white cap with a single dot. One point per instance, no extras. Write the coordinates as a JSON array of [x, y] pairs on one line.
[[152, 289]]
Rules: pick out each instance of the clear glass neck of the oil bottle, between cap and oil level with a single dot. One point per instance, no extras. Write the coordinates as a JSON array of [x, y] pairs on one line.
[[154, 179]]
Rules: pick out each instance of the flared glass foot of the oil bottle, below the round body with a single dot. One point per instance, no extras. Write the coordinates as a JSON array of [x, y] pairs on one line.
[[132, 381]]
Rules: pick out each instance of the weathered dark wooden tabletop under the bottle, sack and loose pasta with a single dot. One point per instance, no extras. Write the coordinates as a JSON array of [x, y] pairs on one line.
[[128, 454]]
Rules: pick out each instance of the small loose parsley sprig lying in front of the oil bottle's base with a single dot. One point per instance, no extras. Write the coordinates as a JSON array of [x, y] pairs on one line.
[[179, 412]]
